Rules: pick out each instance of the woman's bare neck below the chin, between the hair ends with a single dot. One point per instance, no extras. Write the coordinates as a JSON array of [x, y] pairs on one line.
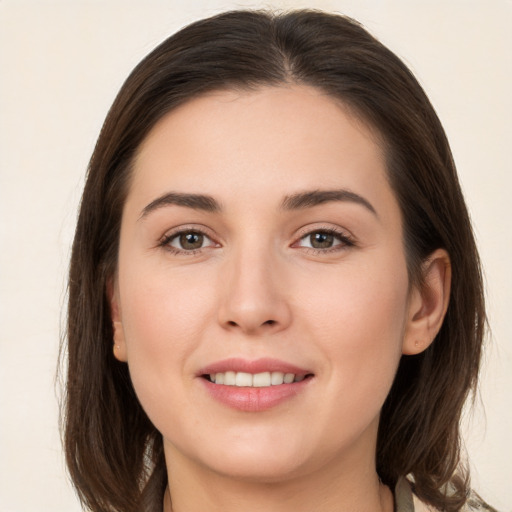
[[355, 488]]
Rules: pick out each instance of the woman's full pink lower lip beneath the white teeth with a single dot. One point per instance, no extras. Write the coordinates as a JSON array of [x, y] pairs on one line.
[[251, 399]]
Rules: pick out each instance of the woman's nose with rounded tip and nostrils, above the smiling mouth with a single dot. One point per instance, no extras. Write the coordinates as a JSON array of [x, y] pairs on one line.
[[254, 295]]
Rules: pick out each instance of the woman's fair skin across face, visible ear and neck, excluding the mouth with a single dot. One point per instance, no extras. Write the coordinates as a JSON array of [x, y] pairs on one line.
[[256, 288]]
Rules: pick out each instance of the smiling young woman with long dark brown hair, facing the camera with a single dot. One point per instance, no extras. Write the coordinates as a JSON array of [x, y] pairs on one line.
[[275, 297]]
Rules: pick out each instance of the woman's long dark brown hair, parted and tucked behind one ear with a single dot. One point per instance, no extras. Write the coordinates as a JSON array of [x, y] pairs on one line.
[[114, 453]]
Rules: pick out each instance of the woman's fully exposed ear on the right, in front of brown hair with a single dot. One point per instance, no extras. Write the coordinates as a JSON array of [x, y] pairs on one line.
[[428, 303]]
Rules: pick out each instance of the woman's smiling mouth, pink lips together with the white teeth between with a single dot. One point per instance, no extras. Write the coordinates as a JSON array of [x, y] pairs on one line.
[[253, 386]]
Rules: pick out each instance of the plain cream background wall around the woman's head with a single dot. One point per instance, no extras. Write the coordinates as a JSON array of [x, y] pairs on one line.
[[61, 64]]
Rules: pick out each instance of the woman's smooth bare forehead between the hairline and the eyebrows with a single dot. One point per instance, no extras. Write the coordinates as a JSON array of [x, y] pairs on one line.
[[271, 141]]
